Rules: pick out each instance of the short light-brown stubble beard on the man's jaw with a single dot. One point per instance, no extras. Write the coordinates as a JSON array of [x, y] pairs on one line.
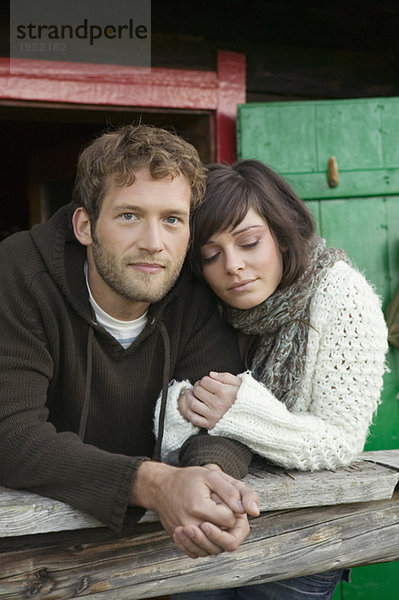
[[131, 284]]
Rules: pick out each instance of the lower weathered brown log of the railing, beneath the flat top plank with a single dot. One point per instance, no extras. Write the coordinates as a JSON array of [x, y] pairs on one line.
[[281, 544]]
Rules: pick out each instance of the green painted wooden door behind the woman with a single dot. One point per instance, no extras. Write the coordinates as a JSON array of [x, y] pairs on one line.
[[361, 215]]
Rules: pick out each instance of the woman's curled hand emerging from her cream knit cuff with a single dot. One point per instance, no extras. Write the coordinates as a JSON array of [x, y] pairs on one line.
[[209, 399]]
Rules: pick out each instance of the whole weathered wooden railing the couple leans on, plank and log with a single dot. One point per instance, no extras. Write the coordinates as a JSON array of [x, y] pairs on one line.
[[309, 522]]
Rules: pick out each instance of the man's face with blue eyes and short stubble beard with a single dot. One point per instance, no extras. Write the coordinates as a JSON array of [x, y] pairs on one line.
[[139, 243]]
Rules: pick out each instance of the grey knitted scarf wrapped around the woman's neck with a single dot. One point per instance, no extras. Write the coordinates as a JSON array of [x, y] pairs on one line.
[[282, 323]]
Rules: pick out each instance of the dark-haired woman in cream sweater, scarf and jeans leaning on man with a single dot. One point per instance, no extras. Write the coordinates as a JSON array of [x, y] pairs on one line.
[[311, 331]]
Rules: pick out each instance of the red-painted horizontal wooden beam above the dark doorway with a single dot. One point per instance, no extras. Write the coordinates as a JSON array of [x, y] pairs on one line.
[[87, 83]]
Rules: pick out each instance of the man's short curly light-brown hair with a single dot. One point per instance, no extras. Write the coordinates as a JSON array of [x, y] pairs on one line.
[[115, 156]]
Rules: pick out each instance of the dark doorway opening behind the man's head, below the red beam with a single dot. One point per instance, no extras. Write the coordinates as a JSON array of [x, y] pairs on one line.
[[40, 142]]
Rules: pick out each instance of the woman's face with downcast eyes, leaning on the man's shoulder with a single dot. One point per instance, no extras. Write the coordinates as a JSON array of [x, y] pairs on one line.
[[243, 265]]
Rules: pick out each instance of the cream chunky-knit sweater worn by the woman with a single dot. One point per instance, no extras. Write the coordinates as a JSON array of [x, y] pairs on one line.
[[328, 425]]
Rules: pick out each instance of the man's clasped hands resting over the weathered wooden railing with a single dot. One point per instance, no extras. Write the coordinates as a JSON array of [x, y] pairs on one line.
[[204, 510]]
